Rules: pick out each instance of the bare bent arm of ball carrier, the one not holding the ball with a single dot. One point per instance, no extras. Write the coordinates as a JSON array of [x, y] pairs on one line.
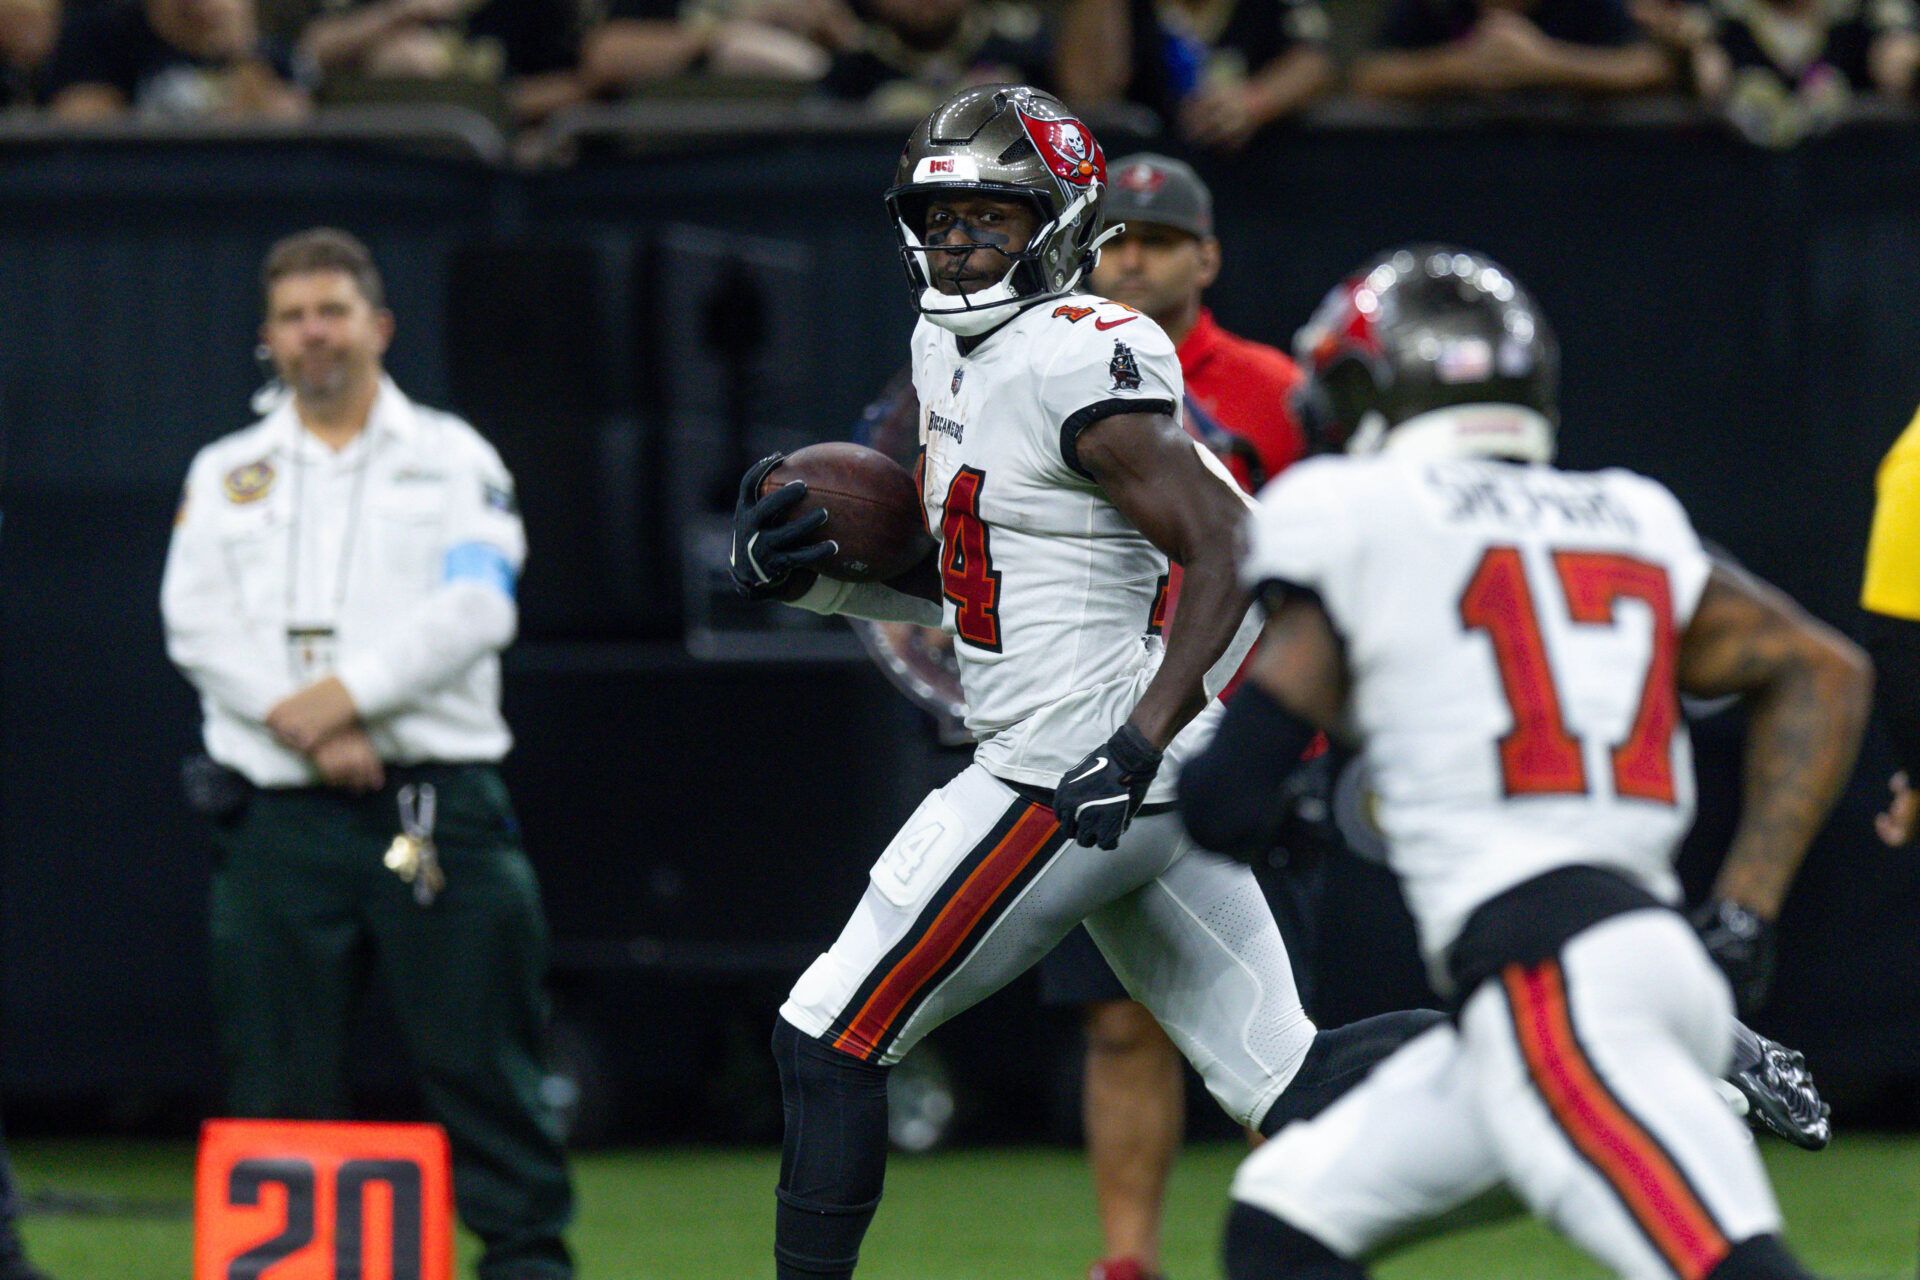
[[1153, 473]]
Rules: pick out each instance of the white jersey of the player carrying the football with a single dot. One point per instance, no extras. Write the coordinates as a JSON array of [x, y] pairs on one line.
[[1051, 596]]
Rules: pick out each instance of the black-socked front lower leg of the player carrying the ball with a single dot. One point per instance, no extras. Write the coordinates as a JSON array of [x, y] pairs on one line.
[[832, 1160]]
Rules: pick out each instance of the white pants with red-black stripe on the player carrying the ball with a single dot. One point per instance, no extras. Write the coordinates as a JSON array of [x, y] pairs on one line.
[[980, 886]]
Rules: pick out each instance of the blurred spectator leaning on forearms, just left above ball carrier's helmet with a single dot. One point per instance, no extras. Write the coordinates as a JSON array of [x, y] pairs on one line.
[[648, 41]]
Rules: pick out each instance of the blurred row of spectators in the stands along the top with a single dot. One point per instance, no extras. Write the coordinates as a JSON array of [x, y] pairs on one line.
[[1212, 72]]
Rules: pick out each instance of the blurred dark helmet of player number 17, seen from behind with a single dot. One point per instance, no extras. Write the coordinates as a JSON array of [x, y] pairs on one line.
[[1429, 350]]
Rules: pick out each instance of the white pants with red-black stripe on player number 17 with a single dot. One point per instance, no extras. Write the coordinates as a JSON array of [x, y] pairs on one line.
[[1585, 1083]]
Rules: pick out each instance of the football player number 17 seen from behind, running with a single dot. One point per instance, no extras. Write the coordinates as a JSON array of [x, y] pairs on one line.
[[1510, 642]]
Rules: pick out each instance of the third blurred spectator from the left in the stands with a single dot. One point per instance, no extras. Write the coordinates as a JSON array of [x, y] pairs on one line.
[[527, 47]]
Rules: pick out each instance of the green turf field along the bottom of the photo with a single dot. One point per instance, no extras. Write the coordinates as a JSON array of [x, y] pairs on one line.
[[1854, 1212]]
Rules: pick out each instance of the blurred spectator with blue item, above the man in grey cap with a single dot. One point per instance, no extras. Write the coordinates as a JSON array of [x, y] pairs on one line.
[[1216, 72]]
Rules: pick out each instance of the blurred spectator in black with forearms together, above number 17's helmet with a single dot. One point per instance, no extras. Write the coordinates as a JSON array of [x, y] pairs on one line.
[[1447, 49]]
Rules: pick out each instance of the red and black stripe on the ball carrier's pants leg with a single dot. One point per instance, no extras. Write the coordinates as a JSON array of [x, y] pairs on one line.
[[986, 884]]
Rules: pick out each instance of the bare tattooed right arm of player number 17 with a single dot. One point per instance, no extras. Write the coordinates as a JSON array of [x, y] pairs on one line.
[[1808, 692]]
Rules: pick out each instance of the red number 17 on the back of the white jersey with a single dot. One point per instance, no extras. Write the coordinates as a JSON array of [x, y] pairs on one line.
[[1539, 755]]
